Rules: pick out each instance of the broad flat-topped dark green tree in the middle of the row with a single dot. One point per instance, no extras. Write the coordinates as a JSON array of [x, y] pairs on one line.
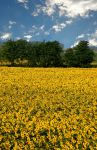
[[45, 54]]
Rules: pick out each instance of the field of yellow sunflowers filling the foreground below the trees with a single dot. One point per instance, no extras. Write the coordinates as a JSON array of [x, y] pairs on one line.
[[48, 108]]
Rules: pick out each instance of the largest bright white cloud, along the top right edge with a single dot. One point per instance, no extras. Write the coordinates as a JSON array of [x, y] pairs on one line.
[[70, 8]]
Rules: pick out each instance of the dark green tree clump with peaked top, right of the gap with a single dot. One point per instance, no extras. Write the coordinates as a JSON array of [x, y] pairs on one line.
[[79, 56]]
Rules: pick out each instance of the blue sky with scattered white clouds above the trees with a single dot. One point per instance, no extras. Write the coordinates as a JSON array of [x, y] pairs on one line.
[[67, 21]]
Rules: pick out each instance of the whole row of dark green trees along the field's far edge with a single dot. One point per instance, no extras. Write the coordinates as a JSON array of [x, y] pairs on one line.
[[46, 54]]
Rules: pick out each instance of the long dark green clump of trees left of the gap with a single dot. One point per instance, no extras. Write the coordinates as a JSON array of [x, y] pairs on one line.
[[38, 54]]
